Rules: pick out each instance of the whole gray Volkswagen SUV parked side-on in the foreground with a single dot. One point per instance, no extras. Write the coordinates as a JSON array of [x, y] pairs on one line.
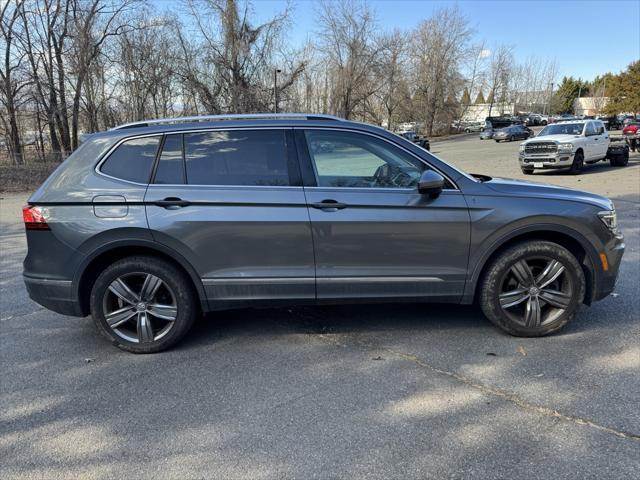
[[151, 224]]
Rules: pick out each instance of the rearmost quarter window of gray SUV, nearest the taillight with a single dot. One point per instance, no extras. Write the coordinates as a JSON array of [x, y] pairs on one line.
[[132, 160]]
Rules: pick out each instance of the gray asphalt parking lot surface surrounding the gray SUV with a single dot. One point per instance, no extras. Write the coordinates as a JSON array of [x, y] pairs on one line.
[[369, 391]]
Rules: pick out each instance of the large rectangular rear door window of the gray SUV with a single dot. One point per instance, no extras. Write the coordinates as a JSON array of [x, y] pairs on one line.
[[237, 157]]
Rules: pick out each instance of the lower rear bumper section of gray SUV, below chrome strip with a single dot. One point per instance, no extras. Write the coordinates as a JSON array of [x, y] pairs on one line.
[[56, 295]]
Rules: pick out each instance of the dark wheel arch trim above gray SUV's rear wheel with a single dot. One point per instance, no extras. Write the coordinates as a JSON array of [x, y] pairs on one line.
[[112, 252]]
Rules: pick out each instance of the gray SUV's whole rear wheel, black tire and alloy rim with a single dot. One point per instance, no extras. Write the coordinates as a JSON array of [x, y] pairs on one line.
[[143, 304]]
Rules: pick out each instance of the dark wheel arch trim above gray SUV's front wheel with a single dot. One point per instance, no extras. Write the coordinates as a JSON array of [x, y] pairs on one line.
[[573, 241]]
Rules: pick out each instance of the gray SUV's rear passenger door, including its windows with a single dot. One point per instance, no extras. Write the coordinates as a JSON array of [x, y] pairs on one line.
[[231, 202]]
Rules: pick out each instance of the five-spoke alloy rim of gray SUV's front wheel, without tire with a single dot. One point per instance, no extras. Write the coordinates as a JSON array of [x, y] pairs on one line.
[[536, 291]]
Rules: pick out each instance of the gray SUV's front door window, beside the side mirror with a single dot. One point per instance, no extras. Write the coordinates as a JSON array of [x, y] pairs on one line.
[[347, 159]]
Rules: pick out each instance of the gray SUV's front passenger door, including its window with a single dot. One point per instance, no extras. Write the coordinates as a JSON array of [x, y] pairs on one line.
[[374, 235]]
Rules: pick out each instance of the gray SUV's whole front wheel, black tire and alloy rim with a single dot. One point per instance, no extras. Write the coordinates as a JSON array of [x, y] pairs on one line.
[[533, 289]]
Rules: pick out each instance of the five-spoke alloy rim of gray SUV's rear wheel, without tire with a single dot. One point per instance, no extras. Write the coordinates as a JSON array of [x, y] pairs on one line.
[[139, 307]]
